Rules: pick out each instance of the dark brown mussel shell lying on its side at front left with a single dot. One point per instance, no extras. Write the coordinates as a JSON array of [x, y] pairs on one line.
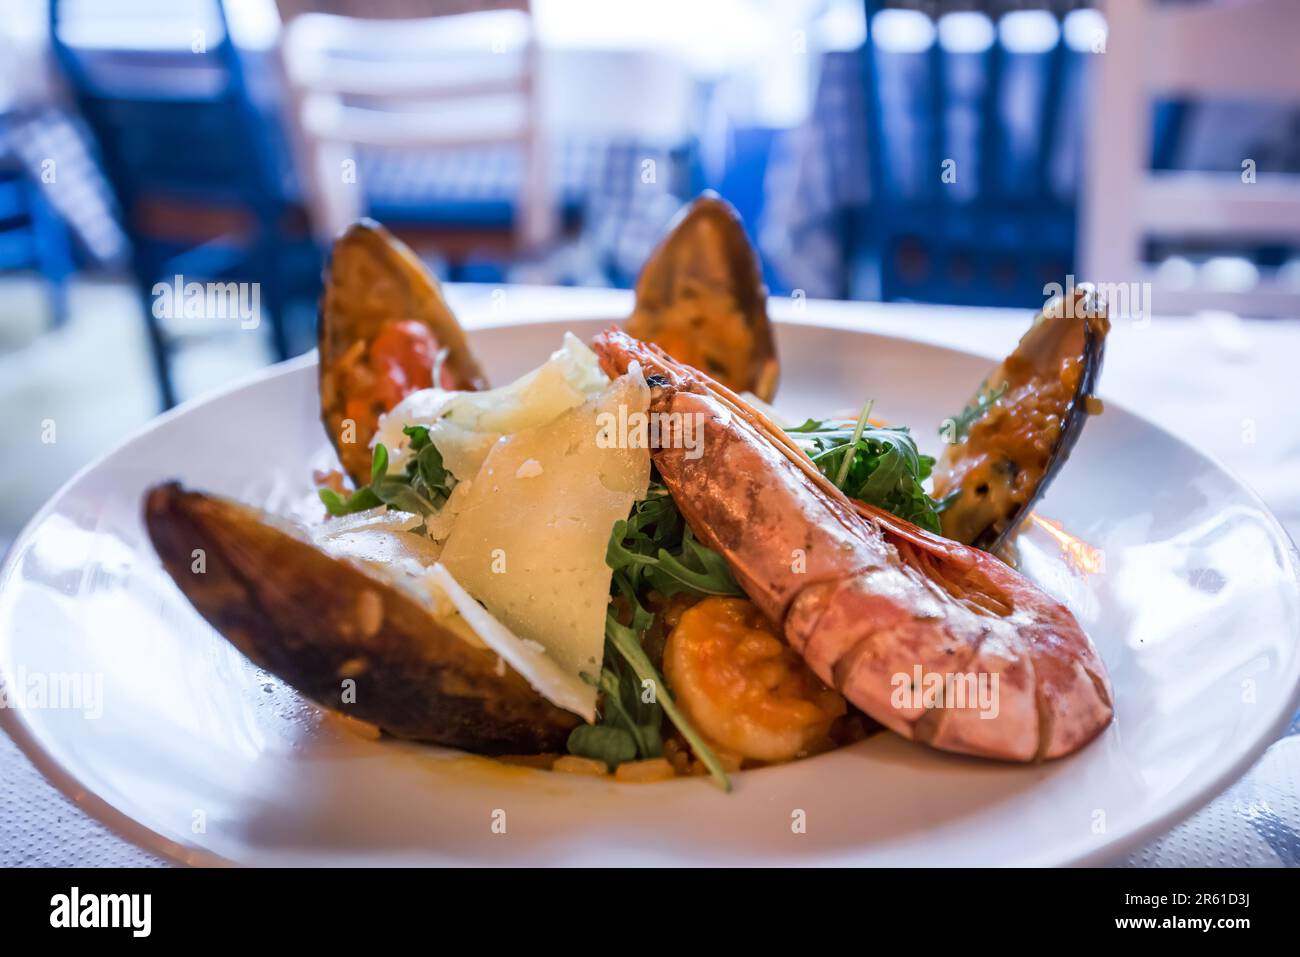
[[315, 622]]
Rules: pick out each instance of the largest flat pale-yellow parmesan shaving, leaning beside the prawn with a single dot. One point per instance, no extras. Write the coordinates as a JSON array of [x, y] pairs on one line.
[[531, 539]]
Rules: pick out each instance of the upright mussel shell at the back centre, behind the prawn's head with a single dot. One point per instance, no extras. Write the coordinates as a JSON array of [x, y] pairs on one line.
[[701, 297]]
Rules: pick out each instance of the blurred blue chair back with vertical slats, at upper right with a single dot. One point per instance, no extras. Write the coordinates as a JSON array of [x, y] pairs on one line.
[[963, 129]]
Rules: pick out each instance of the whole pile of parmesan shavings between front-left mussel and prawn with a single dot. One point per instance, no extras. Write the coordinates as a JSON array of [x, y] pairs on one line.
[[522, 568]]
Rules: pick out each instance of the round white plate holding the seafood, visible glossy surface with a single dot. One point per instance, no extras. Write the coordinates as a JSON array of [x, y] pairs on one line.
[[201, 757]]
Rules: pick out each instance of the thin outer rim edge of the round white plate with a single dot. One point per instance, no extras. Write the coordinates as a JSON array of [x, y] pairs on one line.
[[145, 838]]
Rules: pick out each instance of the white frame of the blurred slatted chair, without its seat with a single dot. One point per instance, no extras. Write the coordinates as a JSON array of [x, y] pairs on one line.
[[467, 80]]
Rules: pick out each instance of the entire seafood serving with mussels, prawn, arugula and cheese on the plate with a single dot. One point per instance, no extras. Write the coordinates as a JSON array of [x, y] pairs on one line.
[[630, 564]]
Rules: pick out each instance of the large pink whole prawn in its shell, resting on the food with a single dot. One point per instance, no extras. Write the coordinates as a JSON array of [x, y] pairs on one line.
[[868, 599]]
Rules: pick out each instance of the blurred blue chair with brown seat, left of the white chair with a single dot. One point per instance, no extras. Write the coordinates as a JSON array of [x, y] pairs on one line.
[[201, 174]]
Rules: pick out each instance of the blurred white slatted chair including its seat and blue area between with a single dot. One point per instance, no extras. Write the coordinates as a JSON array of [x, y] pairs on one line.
[[445, 144]]
